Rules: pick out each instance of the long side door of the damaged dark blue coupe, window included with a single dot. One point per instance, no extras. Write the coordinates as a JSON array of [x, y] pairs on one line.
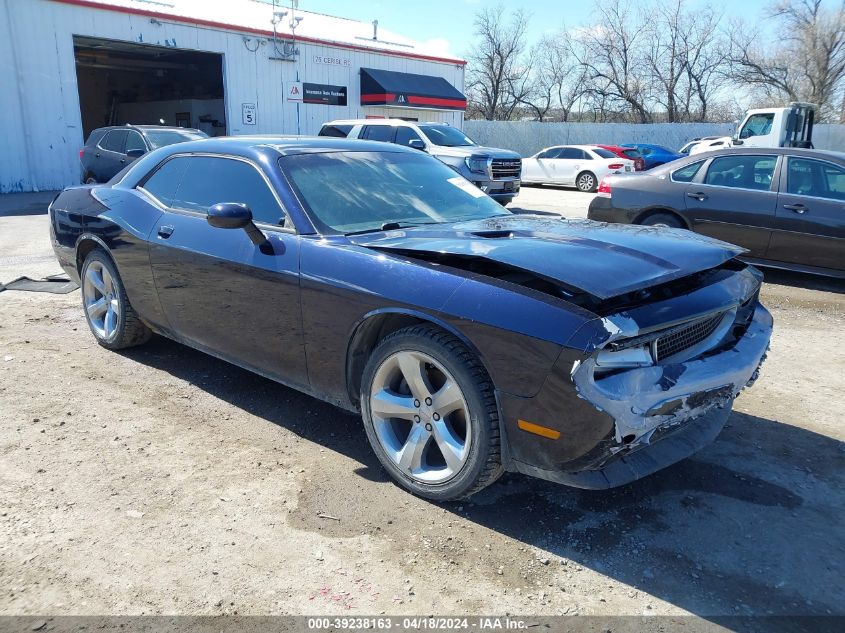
[[218, 290]]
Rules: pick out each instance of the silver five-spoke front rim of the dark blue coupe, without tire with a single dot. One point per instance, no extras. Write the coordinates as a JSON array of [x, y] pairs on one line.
[[420, 417]]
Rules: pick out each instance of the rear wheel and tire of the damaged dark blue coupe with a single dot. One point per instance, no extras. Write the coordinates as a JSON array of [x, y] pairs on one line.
[[110, 316]]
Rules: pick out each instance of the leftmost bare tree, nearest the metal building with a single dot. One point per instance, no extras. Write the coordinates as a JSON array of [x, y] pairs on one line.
[[499, 69]]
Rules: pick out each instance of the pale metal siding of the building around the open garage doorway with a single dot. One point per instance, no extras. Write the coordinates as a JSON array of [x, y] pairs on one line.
[[40, 119]]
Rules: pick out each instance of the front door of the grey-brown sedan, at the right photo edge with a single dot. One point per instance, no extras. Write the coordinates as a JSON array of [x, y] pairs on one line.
[[810, 217]]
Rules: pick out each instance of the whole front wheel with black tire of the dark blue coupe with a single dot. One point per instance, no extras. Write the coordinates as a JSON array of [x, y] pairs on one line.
[[430, 414]]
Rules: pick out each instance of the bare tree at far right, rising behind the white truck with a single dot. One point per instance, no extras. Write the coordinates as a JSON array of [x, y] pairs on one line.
[[808, 61]]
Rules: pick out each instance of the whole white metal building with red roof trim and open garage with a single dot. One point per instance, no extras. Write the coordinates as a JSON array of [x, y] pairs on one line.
[[233, 67]]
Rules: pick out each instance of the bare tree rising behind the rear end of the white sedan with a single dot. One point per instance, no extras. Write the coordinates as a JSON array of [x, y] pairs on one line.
[[611, 54]]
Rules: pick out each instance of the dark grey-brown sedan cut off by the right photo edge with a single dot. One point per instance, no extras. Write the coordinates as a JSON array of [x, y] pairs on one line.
[[785, 206]]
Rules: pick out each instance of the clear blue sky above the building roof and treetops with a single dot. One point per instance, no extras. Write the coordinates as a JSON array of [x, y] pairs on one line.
[[448, 23]]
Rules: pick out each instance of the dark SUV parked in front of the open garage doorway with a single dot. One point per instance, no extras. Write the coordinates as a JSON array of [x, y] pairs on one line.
[[110, 149]]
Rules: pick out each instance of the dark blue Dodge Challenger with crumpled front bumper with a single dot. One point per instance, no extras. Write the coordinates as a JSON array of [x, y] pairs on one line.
[[472, 340]]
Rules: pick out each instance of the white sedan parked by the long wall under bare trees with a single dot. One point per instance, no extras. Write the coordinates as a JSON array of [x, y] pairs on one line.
[[582, 166]]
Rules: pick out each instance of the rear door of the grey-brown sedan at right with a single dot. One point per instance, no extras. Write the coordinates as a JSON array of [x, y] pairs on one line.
[[735, 200]]
